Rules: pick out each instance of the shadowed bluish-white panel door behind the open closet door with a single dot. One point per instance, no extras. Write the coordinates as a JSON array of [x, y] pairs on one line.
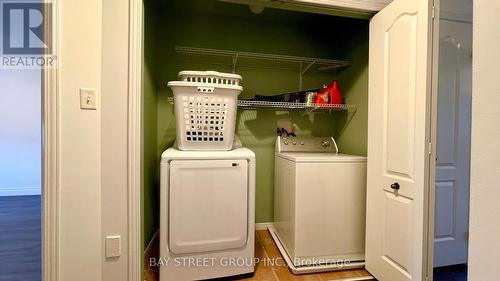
[[453, 143]]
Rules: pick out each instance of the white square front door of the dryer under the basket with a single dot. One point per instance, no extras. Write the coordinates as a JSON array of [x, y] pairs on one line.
[[208, 205]]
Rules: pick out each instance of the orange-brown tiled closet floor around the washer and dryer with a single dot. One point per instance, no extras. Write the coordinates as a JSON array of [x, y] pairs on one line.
[[265, 248]]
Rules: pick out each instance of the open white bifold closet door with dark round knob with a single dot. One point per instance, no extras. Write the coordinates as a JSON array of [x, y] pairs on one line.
[[398, 140]]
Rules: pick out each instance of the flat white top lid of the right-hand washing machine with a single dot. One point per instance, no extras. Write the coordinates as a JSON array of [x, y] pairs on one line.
[[318, 157]]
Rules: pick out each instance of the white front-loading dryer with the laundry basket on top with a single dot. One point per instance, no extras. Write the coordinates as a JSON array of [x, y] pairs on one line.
[[207, 225]]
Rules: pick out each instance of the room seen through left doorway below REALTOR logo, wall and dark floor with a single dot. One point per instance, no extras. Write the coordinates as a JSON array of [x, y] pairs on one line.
[[20, 176]]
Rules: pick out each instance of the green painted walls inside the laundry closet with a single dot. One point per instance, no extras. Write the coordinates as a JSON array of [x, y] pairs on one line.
[[213, 24]]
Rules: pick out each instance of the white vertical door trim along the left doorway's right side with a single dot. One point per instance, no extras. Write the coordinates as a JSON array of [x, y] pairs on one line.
[[51, 180]]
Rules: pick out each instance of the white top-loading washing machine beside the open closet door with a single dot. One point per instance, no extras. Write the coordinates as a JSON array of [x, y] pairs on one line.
[[319, 205]]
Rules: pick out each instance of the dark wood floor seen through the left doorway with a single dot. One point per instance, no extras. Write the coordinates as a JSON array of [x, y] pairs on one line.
[[20, 238]]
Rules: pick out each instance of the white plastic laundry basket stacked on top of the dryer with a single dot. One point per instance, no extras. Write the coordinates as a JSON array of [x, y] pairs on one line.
[[205, 109]]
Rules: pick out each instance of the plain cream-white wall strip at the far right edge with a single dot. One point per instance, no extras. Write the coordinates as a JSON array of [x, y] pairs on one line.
[[484, 240]]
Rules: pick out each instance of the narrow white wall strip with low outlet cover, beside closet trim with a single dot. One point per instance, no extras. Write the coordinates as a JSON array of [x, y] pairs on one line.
[[114, 131]]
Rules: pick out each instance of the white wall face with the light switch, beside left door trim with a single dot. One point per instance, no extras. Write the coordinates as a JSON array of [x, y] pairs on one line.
[[80, 233]]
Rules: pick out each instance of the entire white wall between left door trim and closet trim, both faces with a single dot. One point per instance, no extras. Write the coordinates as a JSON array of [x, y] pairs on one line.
[[94, 54]]
